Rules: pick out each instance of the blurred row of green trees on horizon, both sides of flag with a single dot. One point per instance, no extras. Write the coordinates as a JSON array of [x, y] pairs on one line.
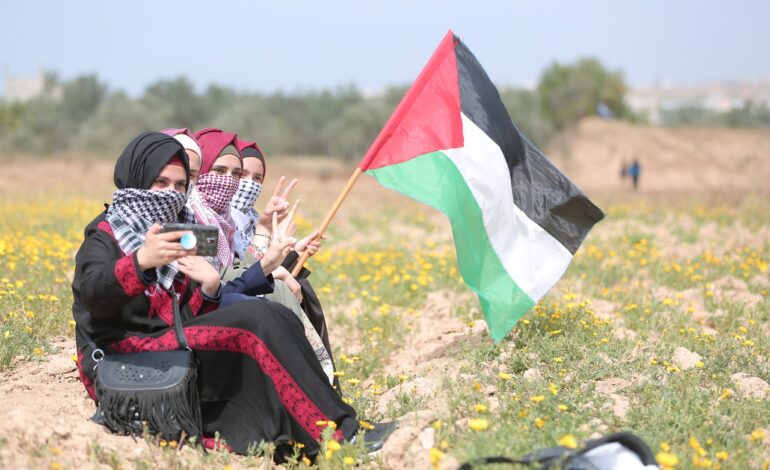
[[85, 115]]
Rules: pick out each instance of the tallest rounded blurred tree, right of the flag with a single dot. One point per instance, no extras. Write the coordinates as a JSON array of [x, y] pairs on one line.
[[571, 92]]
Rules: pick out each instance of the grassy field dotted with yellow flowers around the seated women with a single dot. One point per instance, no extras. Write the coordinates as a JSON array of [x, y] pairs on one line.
[[661, 326]]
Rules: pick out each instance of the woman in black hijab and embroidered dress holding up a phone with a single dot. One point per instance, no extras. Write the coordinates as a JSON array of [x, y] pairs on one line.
[[258, 376]]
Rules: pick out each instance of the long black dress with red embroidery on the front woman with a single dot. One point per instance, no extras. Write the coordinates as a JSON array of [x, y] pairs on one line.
[[258, 376]]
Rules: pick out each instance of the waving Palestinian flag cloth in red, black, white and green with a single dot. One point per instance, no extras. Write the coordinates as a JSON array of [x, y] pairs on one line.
[[516, 219]]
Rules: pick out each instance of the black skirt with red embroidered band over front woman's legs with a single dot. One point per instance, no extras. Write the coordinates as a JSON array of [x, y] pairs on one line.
[[258, 376]]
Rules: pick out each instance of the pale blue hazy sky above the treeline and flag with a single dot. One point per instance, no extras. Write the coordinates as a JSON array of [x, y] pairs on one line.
[[293, 45]]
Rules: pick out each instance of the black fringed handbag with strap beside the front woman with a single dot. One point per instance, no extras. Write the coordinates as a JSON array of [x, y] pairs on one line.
[[153, 391]]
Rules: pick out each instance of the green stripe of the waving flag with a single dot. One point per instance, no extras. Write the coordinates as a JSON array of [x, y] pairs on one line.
[[434, 179]]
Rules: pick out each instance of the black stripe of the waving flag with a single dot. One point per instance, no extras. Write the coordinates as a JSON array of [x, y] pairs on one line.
[[540, 190]]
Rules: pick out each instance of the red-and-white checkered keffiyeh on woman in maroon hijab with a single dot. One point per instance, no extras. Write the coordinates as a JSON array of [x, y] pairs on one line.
[[209, 202]]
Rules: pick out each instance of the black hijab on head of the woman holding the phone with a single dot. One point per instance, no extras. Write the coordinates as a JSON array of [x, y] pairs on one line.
[[144, 158]]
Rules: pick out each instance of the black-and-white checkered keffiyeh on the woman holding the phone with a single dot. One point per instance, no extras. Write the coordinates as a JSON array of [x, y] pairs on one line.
[[134, 211]]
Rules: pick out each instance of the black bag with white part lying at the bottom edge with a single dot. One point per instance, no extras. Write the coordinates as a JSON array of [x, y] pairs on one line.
[[582, 458]]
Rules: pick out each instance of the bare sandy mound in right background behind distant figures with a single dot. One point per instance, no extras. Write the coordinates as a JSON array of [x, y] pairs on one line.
[[672, 160]]
